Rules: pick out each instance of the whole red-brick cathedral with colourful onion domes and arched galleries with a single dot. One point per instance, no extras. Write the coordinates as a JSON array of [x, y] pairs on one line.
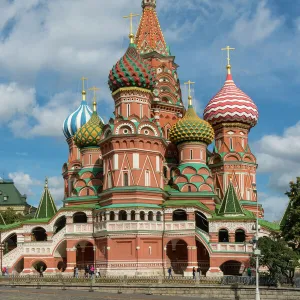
[[143, 193]]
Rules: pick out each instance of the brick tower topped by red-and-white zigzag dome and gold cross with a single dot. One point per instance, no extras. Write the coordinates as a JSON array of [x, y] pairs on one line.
[[232, 114]]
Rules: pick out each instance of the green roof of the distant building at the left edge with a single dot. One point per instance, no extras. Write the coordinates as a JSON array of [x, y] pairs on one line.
[[9, 195]]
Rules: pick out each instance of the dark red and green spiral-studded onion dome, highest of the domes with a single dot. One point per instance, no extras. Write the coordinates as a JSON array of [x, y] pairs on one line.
[[131, 71]]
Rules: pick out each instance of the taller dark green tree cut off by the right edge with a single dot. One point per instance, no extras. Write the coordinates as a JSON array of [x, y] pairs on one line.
[[290, 225]]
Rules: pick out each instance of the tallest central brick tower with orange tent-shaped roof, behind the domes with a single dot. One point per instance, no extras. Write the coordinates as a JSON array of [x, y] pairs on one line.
[[166, 106]]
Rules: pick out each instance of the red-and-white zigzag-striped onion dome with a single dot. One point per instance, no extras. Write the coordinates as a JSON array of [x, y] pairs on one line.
[[231, 104]]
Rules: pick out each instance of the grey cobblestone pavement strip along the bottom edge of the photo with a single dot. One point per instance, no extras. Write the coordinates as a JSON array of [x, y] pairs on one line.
[[8, 293]]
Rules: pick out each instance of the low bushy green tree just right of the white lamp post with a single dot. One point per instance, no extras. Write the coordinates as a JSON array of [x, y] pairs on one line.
[[278, 257]]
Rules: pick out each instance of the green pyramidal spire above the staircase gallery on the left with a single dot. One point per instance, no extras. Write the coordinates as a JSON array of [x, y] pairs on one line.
[[47, 207]]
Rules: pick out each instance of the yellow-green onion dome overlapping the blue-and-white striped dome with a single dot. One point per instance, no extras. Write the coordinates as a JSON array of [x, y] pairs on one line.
[[89, 134]]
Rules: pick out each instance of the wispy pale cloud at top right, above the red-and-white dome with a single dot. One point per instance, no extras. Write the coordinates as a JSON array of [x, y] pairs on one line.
[[250, 30]]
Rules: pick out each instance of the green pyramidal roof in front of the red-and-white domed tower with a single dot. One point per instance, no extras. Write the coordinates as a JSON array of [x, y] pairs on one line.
[[230, 204]]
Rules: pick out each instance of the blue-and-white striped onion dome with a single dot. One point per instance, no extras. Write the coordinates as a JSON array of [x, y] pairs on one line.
[[77, 119]]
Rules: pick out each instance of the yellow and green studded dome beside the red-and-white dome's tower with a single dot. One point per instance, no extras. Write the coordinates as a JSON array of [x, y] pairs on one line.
[[191, 128]]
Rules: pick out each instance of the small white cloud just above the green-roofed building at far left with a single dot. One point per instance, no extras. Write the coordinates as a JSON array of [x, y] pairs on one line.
[[24, 182]]
